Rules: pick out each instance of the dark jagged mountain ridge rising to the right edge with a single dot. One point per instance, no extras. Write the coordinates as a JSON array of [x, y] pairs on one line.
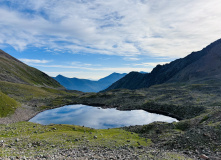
[[198, 66]]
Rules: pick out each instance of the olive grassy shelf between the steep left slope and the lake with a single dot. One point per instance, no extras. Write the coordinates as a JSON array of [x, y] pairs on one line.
[[37, 97]]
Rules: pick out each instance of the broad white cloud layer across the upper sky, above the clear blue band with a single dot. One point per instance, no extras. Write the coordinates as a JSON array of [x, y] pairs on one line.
[[168, 28]]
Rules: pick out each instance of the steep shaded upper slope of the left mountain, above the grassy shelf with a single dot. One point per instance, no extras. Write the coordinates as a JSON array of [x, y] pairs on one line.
[[13, 70]]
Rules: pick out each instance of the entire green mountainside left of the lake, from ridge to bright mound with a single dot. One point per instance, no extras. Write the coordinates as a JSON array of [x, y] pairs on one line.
[[22, 84]]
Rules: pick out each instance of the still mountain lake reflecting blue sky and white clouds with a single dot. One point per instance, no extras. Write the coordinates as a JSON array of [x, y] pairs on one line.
[[96, 117]]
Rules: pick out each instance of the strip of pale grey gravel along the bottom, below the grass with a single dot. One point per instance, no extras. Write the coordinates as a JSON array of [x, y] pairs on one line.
[[84, 153]]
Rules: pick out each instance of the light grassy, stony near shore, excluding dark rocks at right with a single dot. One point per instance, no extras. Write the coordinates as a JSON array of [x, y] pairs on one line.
[[74, 142]]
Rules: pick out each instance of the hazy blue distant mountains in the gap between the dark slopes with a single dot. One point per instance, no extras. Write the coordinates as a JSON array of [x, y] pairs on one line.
[[85, 85]]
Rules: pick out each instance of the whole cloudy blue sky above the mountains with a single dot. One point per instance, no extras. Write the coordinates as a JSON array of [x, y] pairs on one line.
[[93, 38]]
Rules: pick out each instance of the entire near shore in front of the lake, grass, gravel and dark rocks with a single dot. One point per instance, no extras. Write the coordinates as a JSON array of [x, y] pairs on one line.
[[196, 138]]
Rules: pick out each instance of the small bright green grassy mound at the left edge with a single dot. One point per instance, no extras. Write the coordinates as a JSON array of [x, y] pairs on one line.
[[7, 105]]
